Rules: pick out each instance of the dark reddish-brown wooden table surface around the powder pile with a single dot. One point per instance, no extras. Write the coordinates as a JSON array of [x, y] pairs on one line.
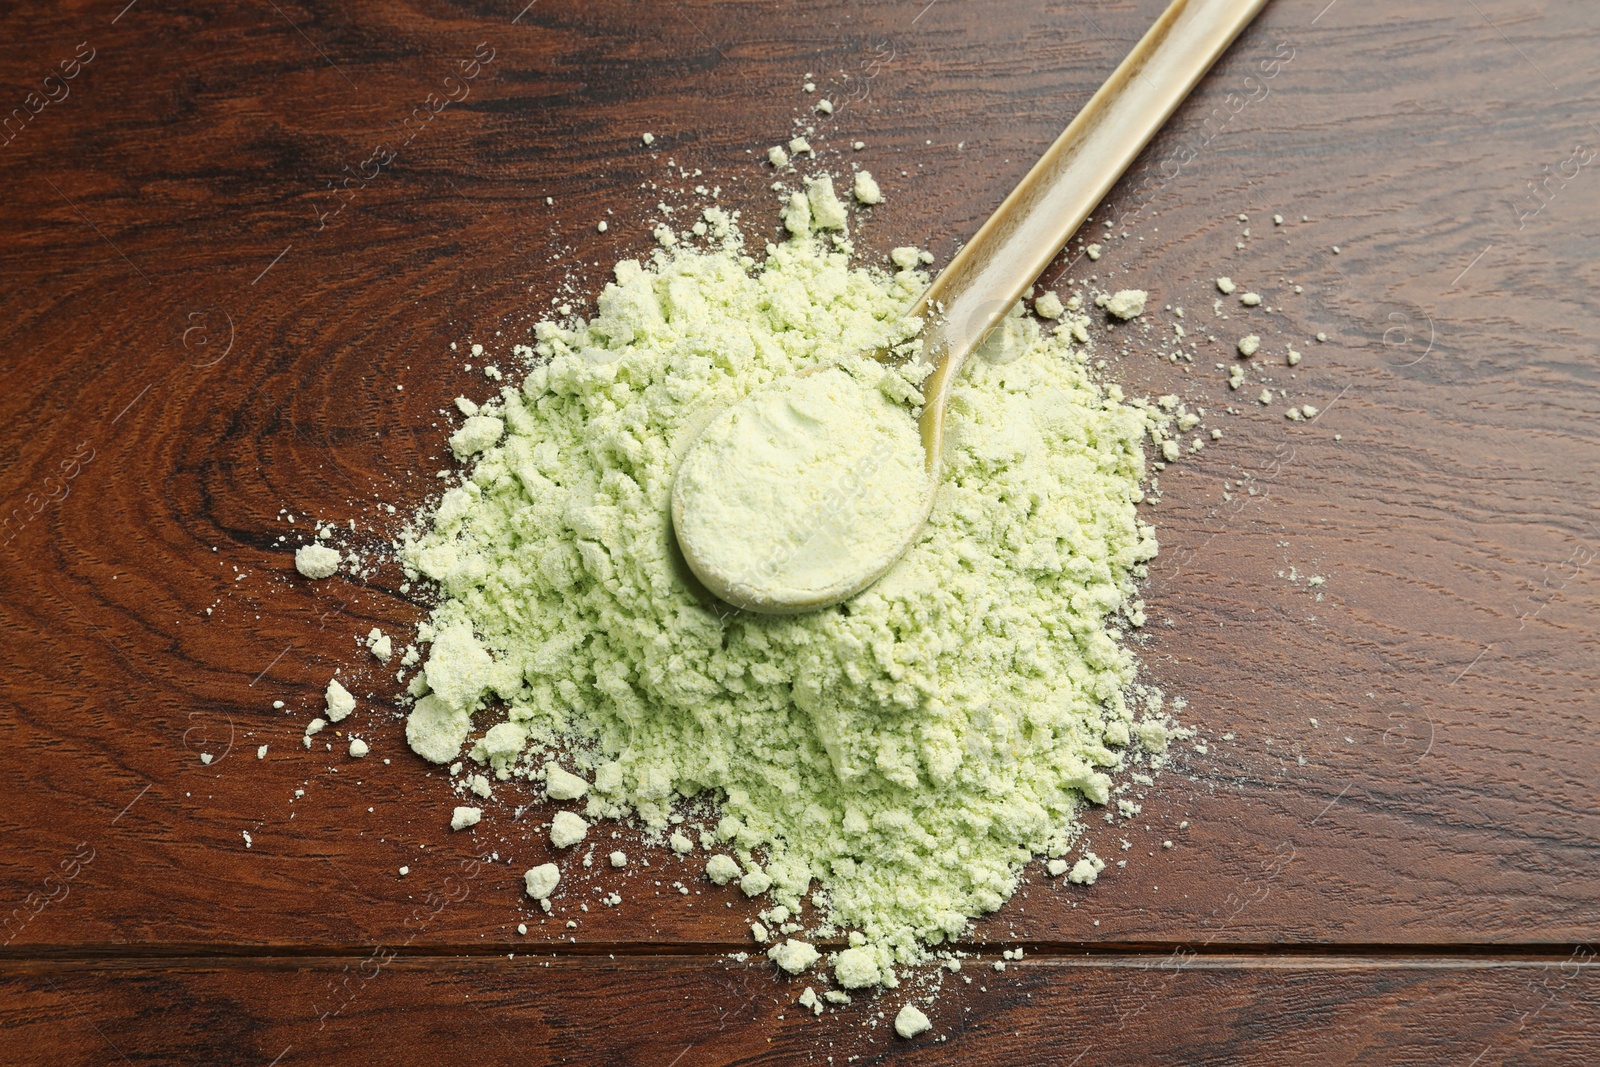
[[190, 345]]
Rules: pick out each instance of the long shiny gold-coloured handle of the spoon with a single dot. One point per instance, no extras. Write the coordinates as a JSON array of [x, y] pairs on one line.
[[988, 276]]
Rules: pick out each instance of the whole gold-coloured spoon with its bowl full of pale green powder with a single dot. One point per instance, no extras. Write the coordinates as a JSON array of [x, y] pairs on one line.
[[774, 567]]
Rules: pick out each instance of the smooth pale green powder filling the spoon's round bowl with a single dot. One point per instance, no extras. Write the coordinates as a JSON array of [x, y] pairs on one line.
[[806, 489]]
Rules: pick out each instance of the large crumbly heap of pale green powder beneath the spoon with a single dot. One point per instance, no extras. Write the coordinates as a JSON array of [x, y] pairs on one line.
[[892, 762]]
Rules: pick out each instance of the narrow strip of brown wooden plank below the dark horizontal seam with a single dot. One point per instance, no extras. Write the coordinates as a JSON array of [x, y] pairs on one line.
[[676, 1010]]
